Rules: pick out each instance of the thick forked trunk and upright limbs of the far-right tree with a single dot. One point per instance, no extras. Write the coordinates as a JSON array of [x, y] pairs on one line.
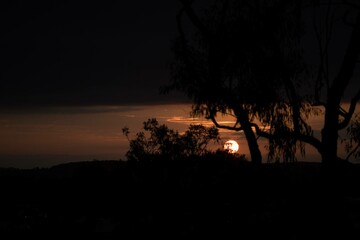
[[336, 118]]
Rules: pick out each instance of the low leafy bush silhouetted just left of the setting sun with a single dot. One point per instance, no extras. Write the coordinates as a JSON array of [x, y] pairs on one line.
[[159, 140]]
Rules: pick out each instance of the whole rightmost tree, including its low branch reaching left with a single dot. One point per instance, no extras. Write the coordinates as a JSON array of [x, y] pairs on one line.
[[329, 87]]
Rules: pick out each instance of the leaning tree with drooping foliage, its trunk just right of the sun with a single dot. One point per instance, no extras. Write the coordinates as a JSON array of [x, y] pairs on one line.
[[237, 63]]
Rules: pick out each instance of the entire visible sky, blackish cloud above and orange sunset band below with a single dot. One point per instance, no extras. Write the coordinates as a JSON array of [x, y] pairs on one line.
[[73, 73]]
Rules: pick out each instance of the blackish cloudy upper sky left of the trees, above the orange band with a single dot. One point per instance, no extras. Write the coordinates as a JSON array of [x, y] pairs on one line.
[[76, 53]]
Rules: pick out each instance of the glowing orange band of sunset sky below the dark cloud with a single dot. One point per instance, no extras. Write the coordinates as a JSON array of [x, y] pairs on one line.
[[47, 136]]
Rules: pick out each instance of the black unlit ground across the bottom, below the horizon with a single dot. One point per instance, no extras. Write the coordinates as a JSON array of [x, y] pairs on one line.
[[203, 197]]
